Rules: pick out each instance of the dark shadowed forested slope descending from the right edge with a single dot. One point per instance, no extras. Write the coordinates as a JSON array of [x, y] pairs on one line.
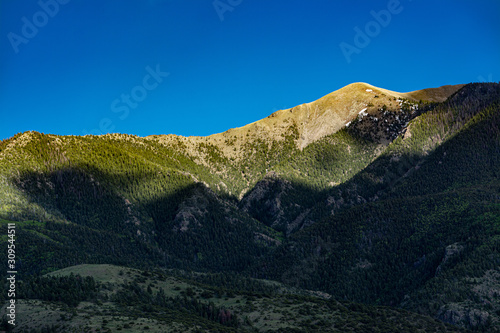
[[426, 236]]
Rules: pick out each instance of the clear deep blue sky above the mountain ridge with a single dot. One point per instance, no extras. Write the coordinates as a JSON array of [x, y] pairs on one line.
[[85, 66]]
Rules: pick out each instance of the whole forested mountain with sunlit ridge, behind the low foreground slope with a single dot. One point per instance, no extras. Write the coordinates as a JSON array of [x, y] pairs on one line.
[[377, 198]]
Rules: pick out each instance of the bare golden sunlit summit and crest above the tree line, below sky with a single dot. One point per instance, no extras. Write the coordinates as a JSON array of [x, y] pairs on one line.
[[312, 121]]
